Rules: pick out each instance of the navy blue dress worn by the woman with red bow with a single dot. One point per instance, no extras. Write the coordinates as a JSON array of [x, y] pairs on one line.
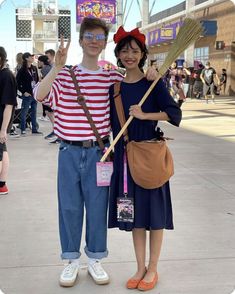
[[152, 207]]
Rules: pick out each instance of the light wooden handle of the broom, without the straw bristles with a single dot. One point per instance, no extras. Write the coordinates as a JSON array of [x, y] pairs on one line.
[[129, 120]]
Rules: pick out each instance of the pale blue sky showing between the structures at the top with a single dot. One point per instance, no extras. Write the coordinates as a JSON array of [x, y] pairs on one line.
[[8, 34]]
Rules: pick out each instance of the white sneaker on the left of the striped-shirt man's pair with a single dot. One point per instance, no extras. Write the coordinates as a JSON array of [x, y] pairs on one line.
[[69, 275]]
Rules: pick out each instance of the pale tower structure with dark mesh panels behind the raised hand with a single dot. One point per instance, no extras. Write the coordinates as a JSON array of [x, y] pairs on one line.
[[43, 23]]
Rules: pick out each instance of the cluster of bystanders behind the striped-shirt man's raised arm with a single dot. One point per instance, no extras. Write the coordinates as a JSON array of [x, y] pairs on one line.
[[28, 74]]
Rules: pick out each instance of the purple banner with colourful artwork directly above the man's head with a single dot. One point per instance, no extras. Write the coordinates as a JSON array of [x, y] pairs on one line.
[[104, 9]]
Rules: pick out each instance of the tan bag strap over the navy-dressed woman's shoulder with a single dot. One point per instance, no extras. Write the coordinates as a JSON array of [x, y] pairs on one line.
[[119, 108]]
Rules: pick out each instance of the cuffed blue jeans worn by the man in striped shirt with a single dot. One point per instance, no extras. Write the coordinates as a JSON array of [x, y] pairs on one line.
[[77, 189]]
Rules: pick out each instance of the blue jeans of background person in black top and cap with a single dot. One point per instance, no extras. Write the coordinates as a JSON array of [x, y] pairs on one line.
[[26, 103]]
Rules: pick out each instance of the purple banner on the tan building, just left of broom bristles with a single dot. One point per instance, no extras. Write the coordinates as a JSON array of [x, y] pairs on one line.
[[164, 34]]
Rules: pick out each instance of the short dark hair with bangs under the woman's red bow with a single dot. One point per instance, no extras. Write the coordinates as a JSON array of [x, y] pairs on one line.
[[127, 41]]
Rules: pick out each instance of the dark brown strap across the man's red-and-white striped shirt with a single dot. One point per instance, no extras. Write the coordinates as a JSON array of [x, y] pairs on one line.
[[82, 102]]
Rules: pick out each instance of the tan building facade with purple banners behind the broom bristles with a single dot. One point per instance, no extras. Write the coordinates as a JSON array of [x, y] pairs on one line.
[[217, 44]]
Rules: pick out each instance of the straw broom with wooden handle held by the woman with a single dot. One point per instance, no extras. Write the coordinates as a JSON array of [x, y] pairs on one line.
[[188, 34]]
